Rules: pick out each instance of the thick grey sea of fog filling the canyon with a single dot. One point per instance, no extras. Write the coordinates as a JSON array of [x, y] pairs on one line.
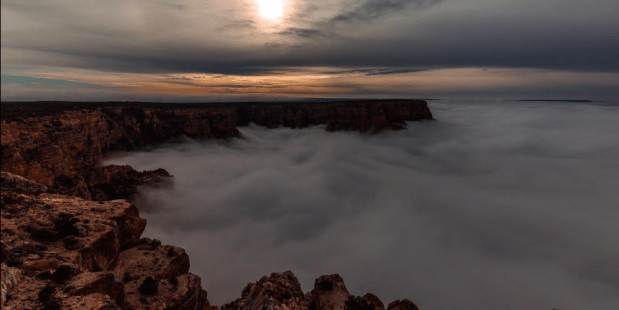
[[495, 205]]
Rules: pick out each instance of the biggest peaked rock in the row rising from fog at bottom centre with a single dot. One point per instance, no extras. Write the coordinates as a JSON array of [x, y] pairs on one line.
[[279, 291]]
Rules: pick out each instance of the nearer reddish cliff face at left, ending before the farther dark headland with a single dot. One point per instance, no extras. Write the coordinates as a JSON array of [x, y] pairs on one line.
[[62, 151]]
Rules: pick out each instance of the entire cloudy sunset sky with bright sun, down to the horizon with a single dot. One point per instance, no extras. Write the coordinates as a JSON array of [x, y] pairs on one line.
[[190, 50]]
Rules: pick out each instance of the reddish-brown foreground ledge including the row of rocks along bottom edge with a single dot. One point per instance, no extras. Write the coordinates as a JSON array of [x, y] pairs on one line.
[[63, 252]]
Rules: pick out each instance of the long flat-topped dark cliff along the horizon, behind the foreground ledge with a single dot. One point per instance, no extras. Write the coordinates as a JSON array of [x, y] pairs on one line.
[[60, 145]]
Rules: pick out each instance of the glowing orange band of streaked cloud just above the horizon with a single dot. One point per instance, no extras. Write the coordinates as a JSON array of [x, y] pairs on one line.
[[320, 82]]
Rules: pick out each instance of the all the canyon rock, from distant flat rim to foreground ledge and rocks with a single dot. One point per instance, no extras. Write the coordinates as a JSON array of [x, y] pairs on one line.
[[71, 238]]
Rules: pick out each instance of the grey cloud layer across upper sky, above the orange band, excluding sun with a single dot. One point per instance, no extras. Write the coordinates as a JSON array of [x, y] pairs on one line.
[[202, 37]]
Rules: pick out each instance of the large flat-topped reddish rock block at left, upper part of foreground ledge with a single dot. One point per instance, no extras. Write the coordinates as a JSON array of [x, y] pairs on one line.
[[96, 231]]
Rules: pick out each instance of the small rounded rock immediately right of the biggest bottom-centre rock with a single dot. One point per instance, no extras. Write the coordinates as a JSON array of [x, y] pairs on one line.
[[329, 293]]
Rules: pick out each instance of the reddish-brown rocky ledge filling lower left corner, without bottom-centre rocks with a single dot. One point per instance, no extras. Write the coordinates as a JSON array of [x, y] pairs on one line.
[[62, 252]]
